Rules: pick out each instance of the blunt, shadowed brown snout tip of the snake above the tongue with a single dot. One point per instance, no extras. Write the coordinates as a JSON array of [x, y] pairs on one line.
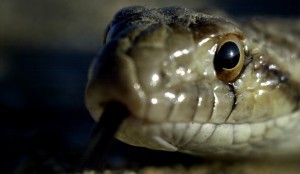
[[112, 79]]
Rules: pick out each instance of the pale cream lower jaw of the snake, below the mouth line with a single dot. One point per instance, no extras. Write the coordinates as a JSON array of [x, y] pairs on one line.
[[215, 140]]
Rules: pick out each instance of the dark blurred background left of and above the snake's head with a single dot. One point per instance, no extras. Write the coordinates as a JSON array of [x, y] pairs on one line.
[[45, 51]]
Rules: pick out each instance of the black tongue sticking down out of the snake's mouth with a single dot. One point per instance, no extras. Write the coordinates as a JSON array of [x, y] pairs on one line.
[[103, 135]]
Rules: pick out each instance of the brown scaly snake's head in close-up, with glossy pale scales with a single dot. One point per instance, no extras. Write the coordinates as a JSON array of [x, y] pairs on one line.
[[200, 83]]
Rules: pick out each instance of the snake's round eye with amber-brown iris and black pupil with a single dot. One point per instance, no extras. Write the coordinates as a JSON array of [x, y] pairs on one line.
[[229, 58]]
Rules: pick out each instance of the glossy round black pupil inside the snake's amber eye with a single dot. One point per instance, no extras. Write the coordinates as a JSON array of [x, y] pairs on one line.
[[227, 56]]
